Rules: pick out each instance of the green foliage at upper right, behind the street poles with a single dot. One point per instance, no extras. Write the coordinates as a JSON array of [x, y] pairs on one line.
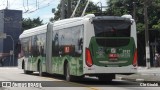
[[121, 7]]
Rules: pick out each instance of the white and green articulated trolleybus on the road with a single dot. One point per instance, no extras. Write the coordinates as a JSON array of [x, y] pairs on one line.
[[99, 46]]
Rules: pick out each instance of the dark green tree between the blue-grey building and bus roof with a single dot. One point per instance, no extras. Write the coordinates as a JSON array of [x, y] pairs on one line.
[[28, 23]]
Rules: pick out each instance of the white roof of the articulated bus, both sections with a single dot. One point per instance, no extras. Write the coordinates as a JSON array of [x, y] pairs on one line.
[[60, 23]]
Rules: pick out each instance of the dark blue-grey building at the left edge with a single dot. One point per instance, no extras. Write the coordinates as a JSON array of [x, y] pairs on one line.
[[11, 24]]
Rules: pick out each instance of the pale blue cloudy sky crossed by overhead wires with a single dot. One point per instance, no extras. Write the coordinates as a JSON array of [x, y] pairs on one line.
[[36, 8]]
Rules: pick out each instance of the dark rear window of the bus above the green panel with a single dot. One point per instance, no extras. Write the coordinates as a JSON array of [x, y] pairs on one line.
[[112, 28]]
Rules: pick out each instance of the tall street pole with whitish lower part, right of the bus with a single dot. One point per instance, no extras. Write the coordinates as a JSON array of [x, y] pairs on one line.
[[146, 34]]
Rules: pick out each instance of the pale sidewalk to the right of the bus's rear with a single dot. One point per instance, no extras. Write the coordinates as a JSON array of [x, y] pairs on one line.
[[144, 74]]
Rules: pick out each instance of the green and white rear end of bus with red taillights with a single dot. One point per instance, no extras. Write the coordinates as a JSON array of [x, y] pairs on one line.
[[112, 49]]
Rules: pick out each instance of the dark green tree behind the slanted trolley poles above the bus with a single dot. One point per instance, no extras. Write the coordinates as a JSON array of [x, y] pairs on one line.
[[91, 8]]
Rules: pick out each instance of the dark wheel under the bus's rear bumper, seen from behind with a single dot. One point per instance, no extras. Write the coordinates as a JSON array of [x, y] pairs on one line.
[[107, 77]]
